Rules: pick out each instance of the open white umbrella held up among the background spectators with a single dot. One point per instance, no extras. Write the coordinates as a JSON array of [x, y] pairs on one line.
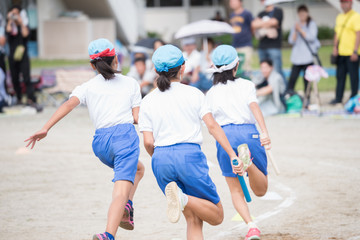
[[204, 28]]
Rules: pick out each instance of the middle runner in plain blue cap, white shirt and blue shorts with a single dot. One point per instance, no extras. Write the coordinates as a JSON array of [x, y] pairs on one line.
[[170, 121]]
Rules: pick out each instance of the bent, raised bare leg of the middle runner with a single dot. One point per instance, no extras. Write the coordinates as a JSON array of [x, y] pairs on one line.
[[205, 210]]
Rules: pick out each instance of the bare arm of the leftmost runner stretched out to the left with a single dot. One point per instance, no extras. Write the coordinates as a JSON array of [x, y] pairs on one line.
[[61, 112]]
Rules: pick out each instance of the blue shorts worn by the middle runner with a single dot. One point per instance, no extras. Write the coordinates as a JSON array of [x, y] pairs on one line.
[[186, 165]]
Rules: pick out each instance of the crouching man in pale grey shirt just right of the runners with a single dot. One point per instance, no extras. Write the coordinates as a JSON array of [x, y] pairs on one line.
[[270, 90]]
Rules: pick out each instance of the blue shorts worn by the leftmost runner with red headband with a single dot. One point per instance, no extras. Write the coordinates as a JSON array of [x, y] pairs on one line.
[[118, 148]]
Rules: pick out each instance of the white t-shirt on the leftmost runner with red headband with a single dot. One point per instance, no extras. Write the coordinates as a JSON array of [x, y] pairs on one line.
[[110, 102]]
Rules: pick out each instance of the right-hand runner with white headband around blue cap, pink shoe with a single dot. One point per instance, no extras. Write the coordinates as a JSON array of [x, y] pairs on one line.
[[234, 106]]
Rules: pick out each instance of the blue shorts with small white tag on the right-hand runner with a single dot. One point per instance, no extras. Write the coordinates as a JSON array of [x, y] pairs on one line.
[[238, 134]]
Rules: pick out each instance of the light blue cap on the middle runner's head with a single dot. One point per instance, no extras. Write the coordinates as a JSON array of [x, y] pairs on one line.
[[167, 57]]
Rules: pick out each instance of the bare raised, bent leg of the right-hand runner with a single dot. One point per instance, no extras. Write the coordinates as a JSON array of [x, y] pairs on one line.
[[258, 181]]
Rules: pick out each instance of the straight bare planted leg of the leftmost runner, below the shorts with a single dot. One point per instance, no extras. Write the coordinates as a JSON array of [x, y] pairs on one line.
[[119, 199]]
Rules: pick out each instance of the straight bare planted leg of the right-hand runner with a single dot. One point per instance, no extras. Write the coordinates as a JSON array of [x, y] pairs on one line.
[[238, 200]]
